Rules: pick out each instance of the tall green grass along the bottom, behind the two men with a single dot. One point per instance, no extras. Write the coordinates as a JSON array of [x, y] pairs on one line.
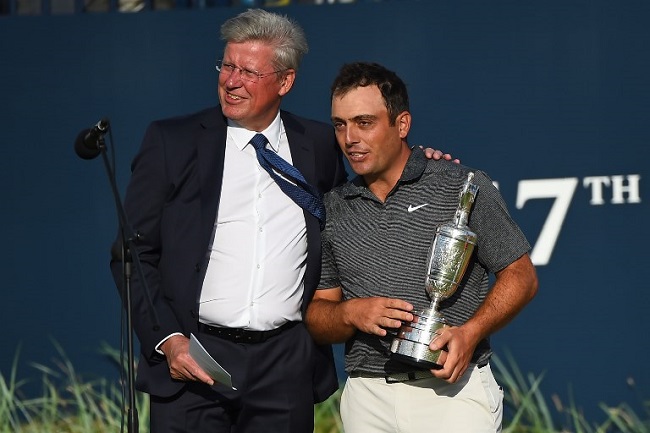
[[69, 403]]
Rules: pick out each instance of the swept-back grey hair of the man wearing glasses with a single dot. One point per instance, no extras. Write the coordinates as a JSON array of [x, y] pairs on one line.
[[284, 34]]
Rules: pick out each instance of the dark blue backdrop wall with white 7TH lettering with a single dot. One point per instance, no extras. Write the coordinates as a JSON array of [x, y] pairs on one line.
[[550, 98]]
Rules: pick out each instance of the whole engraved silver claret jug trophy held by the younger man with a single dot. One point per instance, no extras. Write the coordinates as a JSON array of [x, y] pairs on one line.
[[449, 255]]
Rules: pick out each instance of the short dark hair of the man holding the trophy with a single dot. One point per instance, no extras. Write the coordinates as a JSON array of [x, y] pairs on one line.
[[362, 74]]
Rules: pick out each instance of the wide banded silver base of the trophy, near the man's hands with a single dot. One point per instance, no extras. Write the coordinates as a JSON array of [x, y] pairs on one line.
[[411, 346]]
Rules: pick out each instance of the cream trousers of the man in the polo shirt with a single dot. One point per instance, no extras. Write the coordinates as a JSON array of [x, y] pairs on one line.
[[474, 404]]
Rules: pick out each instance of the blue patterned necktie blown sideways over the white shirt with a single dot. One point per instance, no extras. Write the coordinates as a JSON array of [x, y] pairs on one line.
[[305, 196]]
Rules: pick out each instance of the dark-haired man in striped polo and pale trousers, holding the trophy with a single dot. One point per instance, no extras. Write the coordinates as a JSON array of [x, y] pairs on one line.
[[375, 244]]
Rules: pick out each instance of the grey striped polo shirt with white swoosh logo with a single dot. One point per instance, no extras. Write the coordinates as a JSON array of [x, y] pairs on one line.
[[372, 248]]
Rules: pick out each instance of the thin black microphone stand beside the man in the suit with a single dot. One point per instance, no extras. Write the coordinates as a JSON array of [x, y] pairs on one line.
[[129, 257]]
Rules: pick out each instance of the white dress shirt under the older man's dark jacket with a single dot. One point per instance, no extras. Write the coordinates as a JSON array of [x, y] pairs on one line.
[[254, 278]]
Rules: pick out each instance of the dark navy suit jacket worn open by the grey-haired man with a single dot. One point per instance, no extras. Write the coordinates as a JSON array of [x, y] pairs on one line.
[[172, 202]]
